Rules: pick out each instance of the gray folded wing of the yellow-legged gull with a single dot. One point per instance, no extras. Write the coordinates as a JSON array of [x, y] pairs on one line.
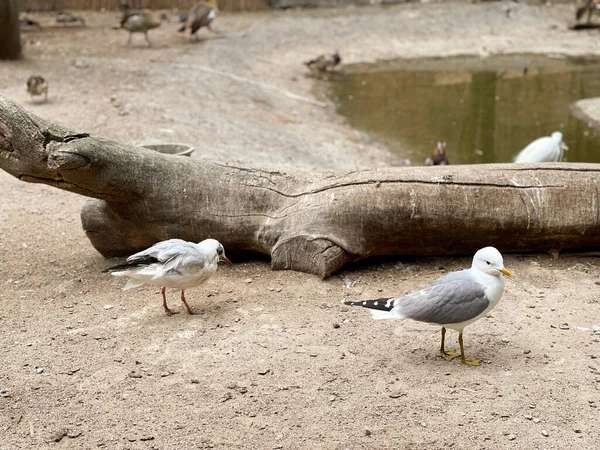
[[454, 298]]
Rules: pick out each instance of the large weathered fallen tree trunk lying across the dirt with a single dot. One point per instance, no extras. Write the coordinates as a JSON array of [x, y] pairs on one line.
[[308, 222]]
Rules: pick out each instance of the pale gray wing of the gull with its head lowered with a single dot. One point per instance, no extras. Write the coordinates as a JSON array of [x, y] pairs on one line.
[[172, 253]]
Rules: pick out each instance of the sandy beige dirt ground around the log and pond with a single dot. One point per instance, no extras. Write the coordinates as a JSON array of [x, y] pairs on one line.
[[273, 360]]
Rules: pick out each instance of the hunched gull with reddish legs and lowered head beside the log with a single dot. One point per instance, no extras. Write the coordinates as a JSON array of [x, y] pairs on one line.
[[173, 263]]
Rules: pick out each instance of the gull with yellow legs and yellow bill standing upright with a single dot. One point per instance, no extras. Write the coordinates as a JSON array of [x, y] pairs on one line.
[[453, 301]]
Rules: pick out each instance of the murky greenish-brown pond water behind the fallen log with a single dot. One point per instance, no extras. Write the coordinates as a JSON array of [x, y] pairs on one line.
[[486, 109]]
